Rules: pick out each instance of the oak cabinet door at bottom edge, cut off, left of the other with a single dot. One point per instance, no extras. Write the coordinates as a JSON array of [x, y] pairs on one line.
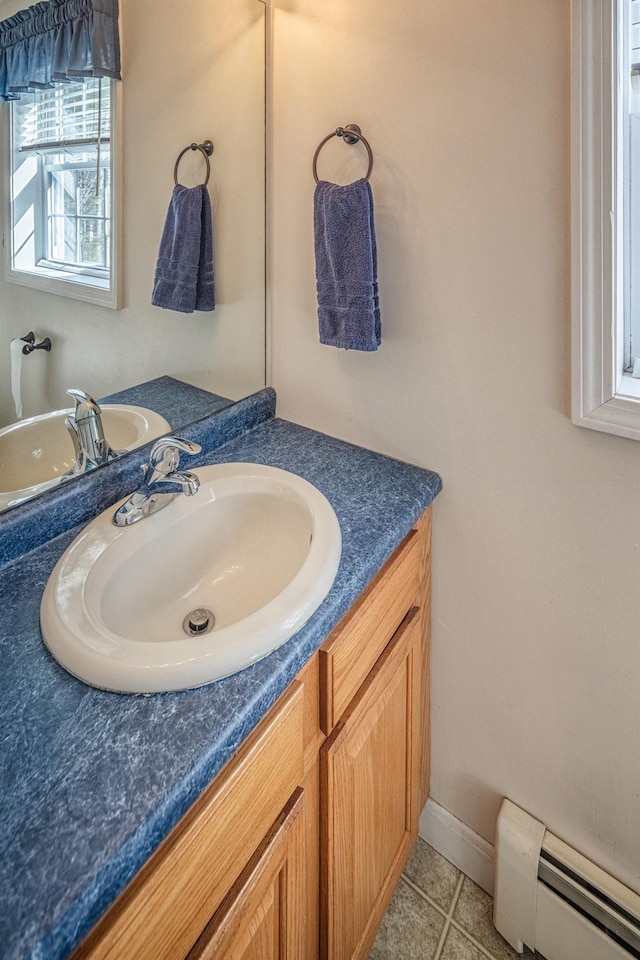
[[261, 917]]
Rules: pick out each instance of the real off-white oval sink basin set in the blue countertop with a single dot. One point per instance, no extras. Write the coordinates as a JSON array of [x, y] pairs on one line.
[[256, 546]]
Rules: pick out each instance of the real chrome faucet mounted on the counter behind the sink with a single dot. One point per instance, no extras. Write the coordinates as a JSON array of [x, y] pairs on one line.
[[162, 481]]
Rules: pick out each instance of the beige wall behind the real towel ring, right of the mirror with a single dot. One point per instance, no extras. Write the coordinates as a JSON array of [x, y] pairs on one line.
[[536, 620]]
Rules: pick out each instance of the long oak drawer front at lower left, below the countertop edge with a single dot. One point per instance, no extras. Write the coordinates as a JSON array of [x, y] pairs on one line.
[[161, 914]]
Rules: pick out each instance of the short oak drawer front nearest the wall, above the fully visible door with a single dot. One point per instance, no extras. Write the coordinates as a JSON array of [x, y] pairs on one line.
[[355, 645]]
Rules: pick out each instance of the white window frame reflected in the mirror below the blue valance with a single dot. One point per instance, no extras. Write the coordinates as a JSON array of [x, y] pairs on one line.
[[58, 282]]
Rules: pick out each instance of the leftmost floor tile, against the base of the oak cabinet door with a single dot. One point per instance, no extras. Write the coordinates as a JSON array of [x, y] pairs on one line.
[[410, 930]]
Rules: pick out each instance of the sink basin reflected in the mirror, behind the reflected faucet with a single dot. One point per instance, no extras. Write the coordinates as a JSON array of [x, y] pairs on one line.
[[35, 453]]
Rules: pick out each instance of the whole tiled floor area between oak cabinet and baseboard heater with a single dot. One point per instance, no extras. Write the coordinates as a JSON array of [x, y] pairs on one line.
[[439, 914]]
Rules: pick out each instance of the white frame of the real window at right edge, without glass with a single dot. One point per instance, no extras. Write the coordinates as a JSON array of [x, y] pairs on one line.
[[603, 396]]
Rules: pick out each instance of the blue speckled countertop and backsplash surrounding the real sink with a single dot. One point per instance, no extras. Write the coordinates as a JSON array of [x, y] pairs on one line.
[[91, 782]]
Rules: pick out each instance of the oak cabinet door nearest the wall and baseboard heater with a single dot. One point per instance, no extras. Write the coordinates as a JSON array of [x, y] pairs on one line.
[[370, 793]]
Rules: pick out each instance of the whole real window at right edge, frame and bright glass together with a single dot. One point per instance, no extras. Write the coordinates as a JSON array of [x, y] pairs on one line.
[[605, 112]]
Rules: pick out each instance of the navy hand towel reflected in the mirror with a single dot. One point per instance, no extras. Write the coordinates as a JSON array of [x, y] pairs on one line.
[[184, 271]]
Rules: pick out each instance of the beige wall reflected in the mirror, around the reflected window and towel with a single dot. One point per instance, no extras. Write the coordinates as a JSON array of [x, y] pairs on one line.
[[192, 71]]
